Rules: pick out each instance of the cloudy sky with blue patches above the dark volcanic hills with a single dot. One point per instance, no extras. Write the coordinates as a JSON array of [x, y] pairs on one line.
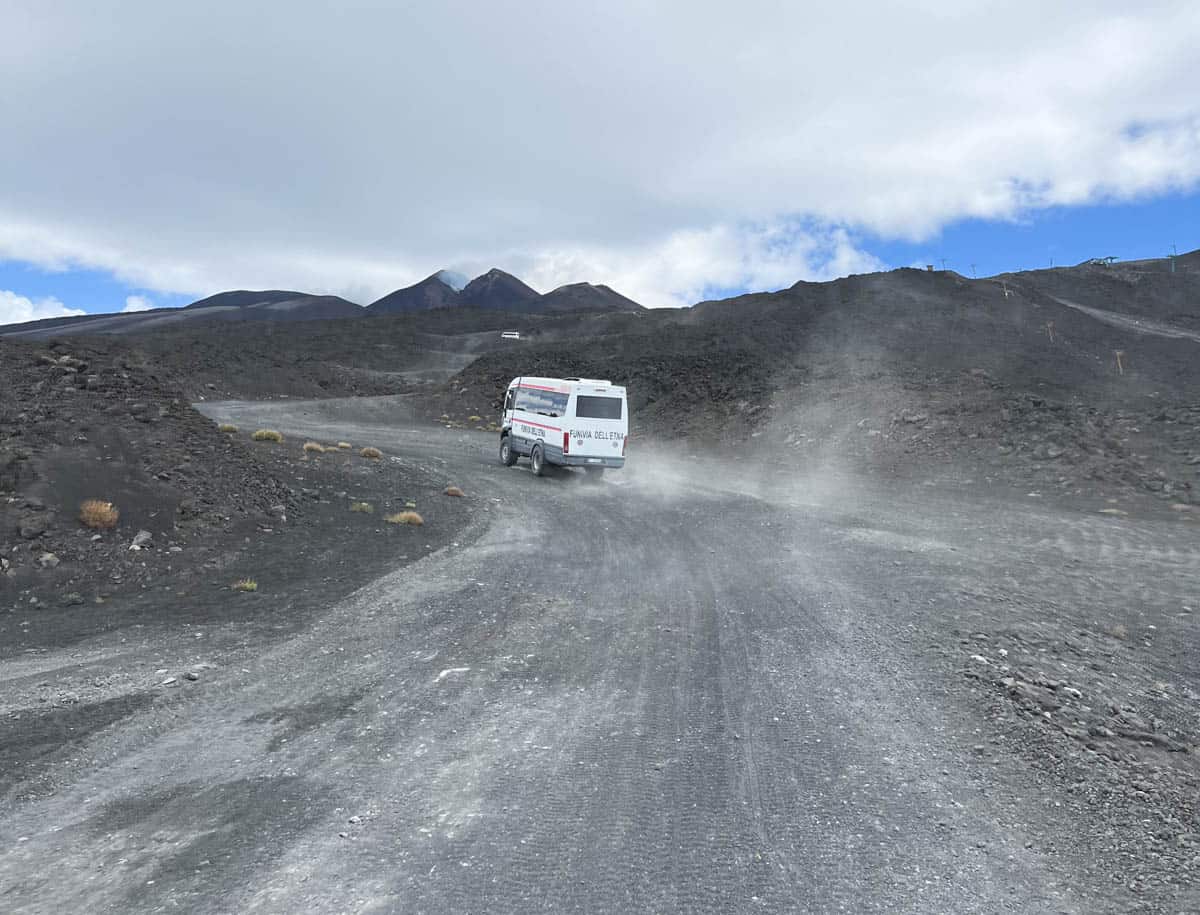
[[153, 154]]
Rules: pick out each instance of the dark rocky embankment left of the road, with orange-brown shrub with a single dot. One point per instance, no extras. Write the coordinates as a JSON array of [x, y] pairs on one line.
[[82, 423]]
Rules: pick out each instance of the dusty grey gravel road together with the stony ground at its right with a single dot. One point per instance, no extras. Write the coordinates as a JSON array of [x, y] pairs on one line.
[[693, 687]]
